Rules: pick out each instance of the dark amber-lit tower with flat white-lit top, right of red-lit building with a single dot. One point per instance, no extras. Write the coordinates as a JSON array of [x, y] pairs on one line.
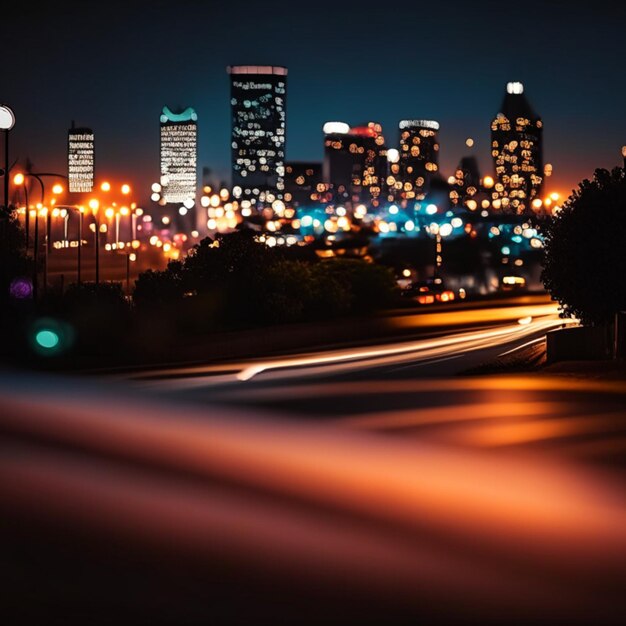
[[419, 157]]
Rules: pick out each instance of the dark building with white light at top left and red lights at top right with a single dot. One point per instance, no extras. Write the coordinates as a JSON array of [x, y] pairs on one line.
[[355, 161]]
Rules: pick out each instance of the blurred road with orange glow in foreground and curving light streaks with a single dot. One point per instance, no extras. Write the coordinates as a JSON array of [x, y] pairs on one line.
[[362, 485]]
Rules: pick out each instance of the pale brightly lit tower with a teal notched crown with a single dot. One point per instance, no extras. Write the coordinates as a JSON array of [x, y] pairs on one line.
[[179, 154]]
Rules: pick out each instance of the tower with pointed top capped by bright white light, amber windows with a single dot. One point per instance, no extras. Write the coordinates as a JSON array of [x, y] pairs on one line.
[[516, 148]]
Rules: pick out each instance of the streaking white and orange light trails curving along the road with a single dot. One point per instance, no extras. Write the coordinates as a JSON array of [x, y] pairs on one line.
[[514, 324]]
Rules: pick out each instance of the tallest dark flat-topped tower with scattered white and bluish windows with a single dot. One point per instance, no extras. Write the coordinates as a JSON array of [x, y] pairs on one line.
[[258, 107]]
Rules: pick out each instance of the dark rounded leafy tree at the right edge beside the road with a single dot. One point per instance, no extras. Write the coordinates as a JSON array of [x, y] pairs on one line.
[[584, 262]]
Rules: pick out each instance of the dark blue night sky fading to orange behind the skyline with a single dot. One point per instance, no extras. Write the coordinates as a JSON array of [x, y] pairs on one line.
[[113, 66]]
